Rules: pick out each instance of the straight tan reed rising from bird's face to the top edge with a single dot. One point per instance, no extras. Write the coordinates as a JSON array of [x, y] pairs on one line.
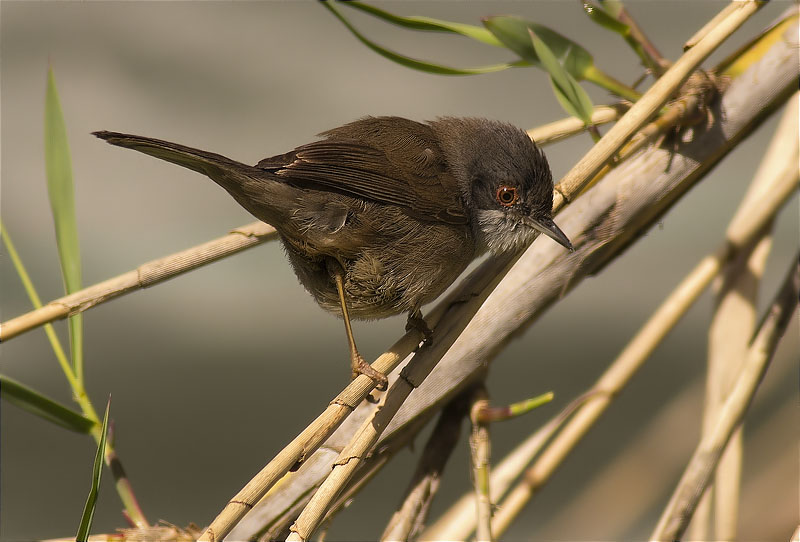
[[649, 104]]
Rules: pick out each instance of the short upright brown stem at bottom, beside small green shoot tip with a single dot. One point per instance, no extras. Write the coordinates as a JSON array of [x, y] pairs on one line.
[[480, 452]]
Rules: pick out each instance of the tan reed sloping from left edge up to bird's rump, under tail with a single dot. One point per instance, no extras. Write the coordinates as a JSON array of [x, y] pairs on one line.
[[145, 275]]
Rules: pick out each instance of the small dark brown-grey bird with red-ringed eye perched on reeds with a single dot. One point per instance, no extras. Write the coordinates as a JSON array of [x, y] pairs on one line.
[[379, 216]]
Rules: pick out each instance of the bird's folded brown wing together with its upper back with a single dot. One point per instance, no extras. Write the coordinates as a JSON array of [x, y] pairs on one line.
[[387, 160]]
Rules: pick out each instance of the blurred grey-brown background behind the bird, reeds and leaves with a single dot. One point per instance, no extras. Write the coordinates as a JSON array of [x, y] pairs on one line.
[[240, 343]]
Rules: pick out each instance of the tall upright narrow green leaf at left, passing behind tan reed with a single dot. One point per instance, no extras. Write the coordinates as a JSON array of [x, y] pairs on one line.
[[60, 188]]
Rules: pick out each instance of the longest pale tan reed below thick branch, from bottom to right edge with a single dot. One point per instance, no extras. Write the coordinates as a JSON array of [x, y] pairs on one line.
[[750, 218]]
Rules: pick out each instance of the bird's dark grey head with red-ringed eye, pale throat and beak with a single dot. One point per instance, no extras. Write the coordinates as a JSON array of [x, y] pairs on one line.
[[505, 181]]
